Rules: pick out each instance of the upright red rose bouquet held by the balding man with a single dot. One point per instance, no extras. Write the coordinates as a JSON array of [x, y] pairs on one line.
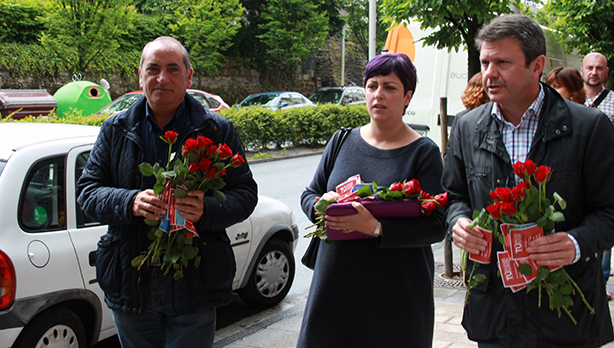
[[202, 168]]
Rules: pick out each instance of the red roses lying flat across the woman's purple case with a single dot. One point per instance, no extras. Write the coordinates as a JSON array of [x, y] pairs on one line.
[[359, 192]]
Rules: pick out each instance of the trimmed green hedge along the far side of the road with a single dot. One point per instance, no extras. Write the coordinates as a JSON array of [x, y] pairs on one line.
[[261, 128]]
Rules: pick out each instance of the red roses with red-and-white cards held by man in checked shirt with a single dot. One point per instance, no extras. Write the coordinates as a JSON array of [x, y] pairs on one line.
[[525, 214]]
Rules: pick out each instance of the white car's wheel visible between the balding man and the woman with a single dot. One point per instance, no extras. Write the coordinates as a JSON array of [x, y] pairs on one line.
[[272, 276]]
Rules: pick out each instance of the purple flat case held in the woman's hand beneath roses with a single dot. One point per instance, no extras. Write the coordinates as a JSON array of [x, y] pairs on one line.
[[403, 208]]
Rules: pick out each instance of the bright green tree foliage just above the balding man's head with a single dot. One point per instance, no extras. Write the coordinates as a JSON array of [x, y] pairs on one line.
[[206, 28]]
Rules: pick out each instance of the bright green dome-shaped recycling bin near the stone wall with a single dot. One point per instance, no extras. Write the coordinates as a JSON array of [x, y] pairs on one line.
[[86, 96]]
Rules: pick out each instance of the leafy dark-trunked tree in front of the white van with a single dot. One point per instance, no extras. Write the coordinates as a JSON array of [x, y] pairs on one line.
[[456, 22]]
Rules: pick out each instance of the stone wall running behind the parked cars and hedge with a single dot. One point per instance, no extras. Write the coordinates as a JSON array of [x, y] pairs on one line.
[[233, 85]]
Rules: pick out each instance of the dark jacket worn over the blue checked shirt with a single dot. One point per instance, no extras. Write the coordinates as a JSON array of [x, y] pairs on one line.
[[575, 142]]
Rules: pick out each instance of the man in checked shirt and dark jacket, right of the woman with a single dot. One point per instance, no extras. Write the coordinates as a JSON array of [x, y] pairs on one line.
[[526, 119]]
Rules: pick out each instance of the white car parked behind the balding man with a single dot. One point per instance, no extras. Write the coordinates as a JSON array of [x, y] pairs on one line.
[[49, 295]]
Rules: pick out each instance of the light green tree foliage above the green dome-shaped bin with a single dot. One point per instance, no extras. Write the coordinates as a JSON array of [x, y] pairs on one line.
[[82, 32]]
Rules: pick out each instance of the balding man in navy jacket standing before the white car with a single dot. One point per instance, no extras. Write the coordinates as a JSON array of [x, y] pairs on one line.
[[151, 309]]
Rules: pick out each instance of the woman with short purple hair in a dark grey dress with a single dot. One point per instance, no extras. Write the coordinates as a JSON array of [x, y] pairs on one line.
[[376, 292]]
